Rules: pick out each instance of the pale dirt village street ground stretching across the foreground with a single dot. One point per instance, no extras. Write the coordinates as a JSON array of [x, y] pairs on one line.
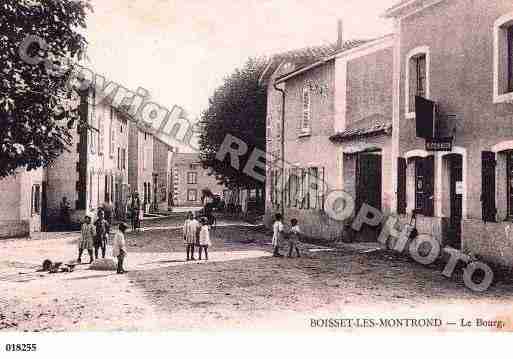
[[240, 287]]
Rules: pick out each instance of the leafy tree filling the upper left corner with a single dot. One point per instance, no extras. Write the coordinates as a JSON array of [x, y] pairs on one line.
[[35, 101]]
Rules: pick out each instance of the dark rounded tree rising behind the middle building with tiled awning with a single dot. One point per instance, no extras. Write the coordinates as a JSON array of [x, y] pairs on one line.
[[237, 108]]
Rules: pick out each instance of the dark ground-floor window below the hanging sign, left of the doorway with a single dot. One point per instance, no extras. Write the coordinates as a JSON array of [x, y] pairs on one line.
[[424, 186]]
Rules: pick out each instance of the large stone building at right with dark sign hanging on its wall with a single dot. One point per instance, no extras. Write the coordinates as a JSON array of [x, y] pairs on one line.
[[458, 54]]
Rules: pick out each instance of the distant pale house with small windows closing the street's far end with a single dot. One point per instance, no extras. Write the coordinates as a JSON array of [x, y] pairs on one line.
[[189, 178]]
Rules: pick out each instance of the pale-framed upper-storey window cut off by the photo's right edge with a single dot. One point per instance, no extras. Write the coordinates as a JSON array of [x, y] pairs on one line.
[[503, 59]]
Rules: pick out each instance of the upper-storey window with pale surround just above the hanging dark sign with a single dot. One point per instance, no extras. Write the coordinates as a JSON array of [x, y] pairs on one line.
[[417, 78]]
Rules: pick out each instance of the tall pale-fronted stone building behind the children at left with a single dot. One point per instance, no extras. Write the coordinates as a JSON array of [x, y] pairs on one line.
[[95, 170]]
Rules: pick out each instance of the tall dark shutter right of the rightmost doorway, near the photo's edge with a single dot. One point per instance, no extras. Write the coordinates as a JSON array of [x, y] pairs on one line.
[[488, 164]]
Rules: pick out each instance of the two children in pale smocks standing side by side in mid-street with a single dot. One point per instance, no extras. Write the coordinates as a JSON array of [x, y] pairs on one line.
[[196, 232]]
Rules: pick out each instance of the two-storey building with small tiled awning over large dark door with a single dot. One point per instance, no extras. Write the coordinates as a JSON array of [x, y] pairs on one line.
[[337, 134]]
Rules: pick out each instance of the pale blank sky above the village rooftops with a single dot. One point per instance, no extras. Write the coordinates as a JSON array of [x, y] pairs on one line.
[[181, 50]]
